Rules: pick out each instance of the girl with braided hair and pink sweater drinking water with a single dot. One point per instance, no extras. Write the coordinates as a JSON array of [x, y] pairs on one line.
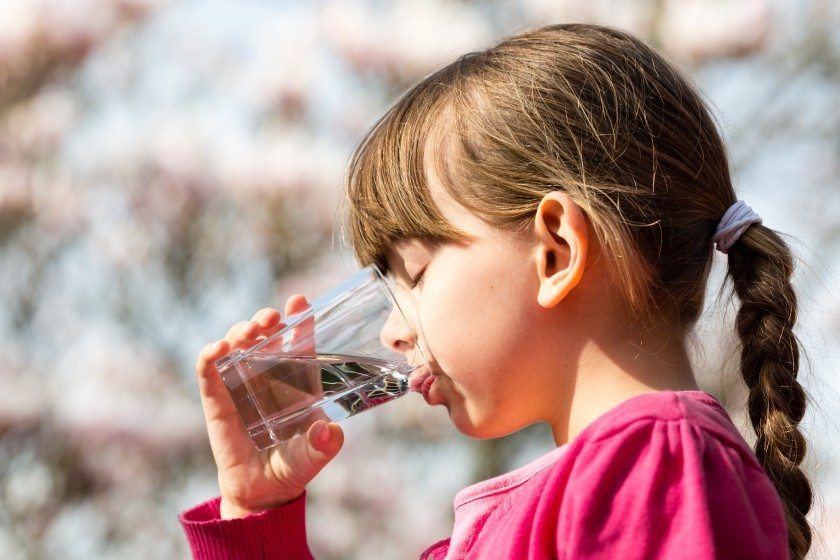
[[549, 209]]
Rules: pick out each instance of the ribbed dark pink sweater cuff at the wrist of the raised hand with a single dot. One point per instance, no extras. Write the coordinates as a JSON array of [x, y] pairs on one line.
[[275, 533]]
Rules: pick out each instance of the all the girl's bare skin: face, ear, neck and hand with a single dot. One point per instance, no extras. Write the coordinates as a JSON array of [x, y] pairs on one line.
[[517, 329]]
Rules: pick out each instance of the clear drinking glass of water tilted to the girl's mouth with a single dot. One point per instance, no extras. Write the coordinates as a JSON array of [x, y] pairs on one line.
[[326, 363]]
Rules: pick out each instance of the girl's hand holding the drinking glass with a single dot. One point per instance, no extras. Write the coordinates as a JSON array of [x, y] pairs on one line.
[[251, 481]]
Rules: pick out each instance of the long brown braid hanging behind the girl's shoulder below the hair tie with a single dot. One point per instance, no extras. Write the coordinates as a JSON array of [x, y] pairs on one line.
[[761, 266]]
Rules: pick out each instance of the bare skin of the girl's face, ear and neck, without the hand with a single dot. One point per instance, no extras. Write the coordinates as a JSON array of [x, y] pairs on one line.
[[528, 328]]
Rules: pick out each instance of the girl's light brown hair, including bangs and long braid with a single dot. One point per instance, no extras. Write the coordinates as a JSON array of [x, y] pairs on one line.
[[597, 114]]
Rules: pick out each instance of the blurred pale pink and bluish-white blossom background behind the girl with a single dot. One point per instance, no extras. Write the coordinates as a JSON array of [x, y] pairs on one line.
[[169, 167]]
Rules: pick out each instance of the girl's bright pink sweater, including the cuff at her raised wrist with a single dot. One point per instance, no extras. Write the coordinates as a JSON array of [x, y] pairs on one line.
[[664, 475]]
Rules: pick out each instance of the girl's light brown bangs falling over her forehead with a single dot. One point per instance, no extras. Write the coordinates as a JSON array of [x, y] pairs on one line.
[[387, 189]]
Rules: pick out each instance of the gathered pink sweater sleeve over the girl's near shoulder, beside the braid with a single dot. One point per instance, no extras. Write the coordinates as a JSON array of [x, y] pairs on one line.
[[661, 489]]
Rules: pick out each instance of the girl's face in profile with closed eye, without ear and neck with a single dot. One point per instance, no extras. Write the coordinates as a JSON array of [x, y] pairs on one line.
[[480, 325]]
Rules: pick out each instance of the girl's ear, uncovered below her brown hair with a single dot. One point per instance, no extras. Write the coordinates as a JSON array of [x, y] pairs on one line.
[[562, 240]]
